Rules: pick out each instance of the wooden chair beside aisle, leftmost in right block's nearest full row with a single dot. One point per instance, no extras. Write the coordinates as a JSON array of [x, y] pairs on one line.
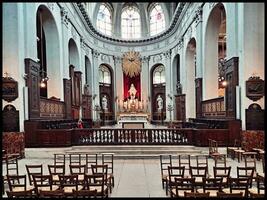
[[182, 185]]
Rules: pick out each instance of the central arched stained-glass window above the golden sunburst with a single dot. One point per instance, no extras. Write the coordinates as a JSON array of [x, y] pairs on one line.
[[130, 22]]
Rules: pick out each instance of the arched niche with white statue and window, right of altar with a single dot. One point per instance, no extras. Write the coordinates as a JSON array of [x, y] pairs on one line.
[[158, 92]]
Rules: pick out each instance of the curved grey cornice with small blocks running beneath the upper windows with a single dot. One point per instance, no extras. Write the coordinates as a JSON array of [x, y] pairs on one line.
[[165, 33]]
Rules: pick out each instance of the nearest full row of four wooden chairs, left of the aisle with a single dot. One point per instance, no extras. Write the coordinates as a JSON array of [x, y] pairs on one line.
[[94, 185]]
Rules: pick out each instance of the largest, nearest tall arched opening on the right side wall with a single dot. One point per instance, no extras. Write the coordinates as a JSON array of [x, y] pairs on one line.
[[215, 53]]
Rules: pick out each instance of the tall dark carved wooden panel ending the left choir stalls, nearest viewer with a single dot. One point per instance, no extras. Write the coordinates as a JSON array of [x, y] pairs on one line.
[[33, 82]]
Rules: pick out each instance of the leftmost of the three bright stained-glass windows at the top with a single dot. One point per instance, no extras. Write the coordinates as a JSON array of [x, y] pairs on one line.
[[103, 21]]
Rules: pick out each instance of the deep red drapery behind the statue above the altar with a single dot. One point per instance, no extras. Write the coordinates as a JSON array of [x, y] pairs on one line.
[[127, 81]]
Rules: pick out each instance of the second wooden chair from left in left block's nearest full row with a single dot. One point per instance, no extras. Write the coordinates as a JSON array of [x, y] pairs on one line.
[[44, 183]]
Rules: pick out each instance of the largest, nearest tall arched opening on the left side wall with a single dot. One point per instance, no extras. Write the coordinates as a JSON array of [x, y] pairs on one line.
[[48, 53]]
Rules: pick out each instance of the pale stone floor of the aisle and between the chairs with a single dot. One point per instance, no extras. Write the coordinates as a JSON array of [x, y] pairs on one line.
[[133, 177]]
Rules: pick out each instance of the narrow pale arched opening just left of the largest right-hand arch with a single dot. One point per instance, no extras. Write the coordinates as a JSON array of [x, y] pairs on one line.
[[190, 61]]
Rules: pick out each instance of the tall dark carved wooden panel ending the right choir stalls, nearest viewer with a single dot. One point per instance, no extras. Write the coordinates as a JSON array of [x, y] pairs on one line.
[[231, 76]]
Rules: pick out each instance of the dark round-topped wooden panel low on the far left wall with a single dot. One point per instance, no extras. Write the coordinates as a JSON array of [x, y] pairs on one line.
[[10, 119]]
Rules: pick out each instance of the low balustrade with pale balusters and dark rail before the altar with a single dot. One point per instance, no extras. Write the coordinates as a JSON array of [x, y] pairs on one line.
[[129, 136]]
